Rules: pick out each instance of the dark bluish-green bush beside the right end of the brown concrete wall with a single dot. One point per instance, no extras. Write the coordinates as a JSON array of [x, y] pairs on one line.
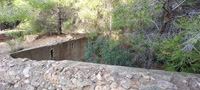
[[107, 52]]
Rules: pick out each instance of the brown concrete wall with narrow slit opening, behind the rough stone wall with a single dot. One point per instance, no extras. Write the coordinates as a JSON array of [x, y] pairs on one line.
[[70, 50]]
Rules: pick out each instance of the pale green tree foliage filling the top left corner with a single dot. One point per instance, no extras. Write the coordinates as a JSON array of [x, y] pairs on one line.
[[14, 11]]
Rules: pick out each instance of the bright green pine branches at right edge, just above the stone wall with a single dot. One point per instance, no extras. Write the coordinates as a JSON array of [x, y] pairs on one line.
[[182, 52]]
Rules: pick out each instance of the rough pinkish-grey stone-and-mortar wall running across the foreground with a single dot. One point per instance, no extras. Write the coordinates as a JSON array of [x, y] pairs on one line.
[[25, 74]]
